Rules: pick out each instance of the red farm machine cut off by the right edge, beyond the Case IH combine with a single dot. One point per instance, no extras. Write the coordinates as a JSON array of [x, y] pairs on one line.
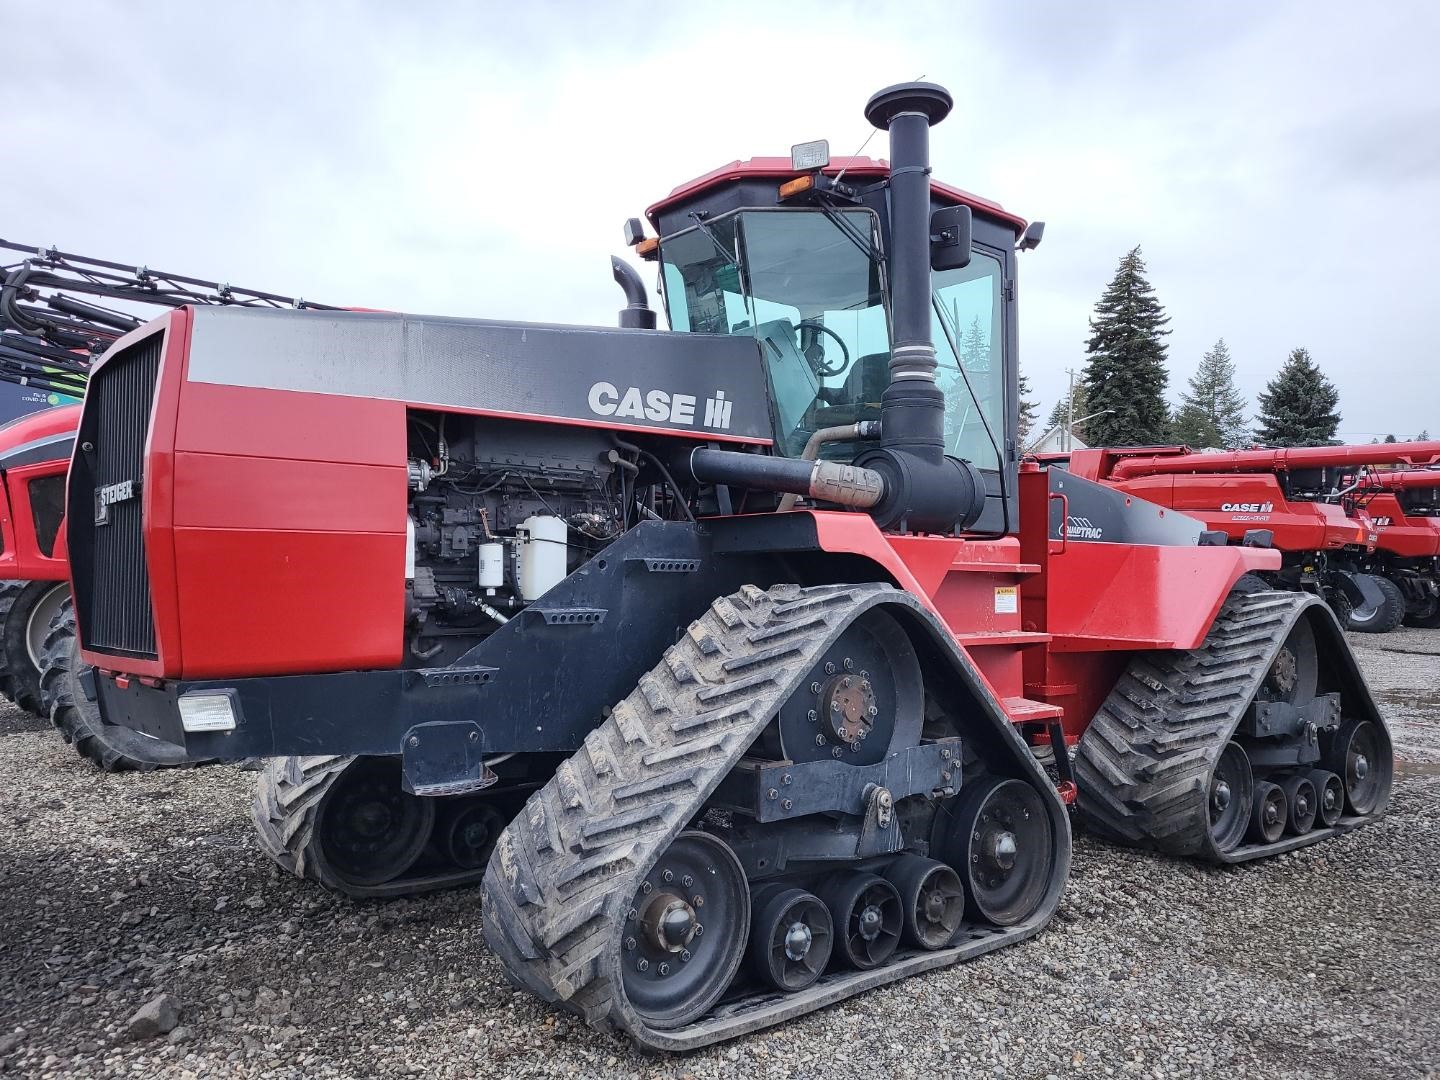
[[1405, 510]]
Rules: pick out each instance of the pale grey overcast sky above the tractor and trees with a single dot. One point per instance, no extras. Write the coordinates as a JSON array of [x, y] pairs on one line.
[[1279, 163]]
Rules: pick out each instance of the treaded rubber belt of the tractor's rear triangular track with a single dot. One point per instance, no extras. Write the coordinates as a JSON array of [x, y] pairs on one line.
[[1144, 765]]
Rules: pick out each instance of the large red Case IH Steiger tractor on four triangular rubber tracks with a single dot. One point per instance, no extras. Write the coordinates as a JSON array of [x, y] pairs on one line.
[[726, 656]]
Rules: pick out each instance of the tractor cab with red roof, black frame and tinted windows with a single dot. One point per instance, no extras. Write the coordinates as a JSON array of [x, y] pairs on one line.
[[798, 260]]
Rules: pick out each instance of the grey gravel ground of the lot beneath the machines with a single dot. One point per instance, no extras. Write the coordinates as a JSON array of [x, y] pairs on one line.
[[117, 889]]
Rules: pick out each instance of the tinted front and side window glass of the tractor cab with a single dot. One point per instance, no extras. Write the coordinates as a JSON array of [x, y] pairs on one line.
[[811, 294]]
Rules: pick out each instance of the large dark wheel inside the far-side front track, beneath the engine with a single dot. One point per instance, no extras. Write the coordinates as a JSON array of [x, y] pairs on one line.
[[371, 829]]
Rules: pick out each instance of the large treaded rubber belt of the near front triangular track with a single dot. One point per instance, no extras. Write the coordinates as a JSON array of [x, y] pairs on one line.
[[561, 882]]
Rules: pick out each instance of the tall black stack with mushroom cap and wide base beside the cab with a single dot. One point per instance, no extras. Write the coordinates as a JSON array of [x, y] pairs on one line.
[[925, 490]]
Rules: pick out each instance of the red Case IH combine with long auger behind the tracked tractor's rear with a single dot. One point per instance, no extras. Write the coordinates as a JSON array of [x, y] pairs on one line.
[[1304, 502]]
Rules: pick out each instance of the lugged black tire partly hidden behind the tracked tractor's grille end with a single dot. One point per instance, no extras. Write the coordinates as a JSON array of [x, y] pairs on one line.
[[109, 747]]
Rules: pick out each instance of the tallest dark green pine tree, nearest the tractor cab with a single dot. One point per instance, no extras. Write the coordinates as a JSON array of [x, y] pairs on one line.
[[1125, 378]]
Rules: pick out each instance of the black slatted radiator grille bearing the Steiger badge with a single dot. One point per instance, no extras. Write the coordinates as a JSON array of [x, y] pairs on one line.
[[122, 618]]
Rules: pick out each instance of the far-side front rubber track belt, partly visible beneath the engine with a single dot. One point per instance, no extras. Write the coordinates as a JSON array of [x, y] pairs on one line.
[[289, 794]]
